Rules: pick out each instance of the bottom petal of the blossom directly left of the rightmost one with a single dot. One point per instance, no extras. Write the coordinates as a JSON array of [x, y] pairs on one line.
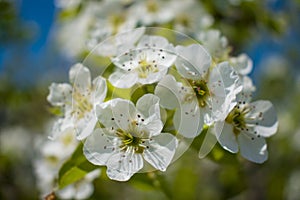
[[187, 120]]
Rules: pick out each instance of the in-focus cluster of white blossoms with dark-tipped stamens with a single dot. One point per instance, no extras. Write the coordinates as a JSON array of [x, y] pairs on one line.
[[199, 88]]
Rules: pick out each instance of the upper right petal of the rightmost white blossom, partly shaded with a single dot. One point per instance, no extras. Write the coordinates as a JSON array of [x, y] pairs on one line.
[[268, 124]]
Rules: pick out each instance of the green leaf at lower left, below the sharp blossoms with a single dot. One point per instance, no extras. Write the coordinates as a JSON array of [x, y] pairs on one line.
[[75, 168]]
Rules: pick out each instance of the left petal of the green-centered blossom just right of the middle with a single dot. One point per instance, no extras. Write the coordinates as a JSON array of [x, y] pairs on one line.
[[167, 91]]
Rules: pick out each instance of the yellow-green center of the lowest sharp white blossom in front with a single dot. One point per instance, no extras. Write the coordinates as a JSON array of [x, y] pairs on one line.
[[130, 141]]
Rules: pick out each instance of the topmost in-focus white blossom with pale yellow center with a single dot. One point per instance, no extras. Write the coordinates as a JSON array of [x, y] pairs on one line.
[[146, 64]]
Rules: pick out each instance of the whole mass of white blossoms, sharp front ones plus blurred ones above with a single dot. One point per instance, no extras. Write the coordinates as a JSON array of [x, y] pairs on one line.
[[159, 89]]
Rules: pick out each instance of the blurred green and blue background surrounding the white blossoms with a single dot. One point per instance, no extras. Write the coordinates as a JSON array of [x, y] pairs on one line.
[[40, 40]]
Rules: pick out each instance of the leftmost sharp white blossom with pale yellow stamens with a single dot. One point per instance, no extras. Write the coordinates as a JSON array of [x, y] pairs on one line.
[[78, 101]]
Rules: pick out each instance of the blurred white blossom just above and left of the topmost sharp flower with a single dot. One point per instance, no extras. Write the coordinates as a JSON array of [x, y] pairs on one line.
[[111, 19]]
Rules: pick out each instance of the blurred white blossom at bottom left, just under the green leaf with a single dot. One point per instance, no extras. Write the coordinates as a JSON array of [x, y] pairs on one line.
[[81, 189]]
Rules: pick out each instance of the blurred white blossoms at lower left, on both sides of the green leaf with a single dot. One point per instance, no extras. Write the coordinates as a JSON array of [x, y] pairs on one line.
[[52, 155]]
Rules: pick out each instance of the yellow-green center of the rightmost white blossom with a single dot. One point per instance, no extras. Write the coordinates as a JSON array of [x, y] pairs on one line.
[[237, 118]]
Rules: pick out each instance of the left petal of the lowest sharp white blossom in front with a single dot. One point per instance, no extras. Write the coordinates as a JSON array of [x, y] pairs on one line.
[[98, 147]]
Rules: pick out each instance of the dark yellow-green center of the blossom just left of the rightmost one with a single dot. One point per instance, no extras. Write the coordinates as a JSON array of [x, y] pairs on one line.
[[201, 90]]
